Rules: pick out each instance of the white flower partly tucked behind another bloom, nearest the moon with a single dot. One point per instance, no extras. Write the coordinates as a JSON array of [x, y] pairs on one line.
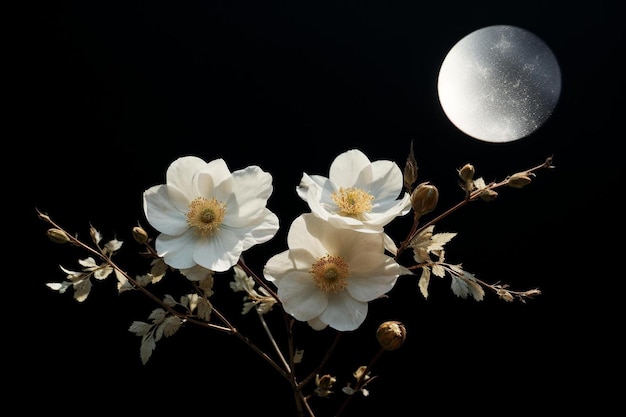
[[358, 194]]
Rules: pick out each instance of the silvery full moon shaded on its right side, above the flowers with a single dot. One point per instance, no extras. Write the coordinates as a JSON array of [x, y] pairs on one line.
[[499, 83]]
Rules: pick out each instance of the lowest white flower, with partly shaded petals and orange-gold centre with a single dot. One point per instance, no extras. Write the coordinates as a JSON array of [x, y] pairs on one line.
[[328, 275]]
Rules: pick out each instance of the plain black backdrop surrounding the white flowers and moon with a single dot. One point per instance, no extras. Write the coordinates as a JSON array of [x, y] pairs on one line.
[[112, 93]]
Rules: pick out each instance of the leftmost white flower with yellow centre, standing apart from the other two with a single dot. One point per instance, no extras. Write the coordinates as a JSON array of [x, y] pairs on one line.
[[207, 215]]
